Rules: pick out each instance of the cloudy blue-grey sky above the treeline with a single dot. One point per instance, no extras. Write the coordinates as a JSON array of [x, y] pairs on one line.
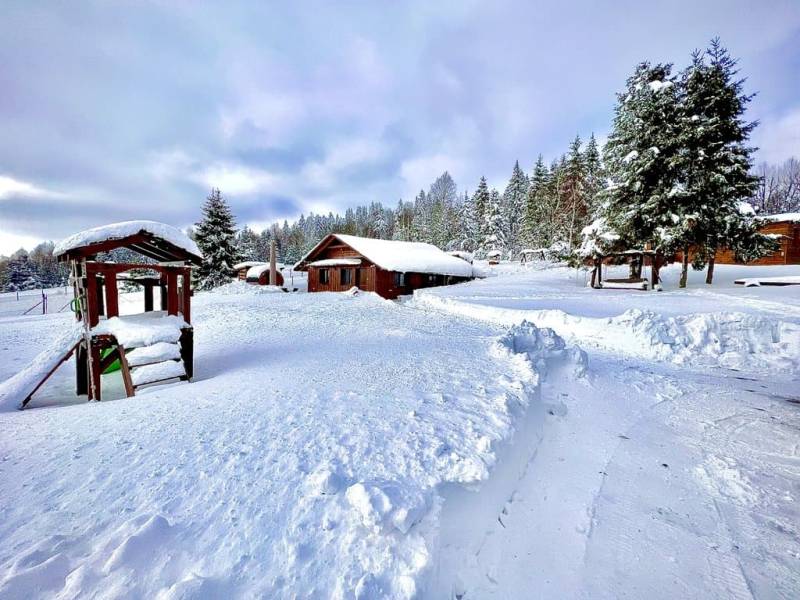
[[132, 110]]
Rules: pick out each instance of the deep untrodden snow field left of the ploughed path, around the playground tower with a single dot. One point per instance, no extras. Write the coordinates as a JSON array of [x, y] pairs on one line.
[[303, 460]]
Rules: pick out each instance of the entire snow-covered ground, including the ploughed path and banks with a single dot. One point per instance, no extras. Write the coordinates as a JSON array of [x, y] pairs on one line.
[[334, 445]]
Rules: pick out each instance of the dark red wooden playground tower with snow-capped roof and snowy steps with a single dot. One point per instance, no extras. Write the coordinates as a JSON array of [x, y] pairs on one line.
[[148, 358]]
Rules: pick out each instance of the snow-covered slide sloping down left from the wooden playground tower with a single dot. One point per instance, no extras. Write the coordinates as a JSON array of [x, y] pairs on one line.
[[17, 388]]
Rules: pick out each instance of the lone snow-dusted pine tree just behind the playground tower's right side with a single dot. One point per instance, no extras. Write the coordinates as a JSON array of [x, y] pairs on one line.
[[215, 235]]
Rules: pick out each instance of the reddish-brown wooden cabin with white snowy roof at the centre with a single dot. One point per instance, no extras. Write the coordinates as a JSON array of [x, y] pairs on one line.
[[387, 267]]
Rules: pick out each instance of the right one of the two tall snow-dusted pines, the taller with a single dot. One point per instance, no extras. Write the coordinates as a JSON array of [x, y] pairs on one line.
[[716, 163]]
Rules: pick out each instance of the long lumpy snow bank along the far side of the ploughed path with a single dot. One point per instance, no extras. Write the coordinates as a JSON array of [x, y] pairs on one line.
[[732, 339]]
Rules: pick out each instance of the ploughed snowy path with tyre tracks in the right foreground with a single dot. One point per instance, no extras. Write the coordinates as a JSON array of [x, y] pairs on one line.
[[650, 480]]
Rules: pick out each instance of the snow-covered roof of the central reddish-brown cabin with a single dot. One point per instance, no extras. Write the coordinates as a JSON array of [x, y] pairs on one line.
[[403, 257]]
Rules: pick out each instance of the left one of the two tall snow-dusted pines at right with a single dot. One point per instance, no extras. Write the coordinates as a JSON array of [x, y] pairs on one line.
[[639, 203]]
